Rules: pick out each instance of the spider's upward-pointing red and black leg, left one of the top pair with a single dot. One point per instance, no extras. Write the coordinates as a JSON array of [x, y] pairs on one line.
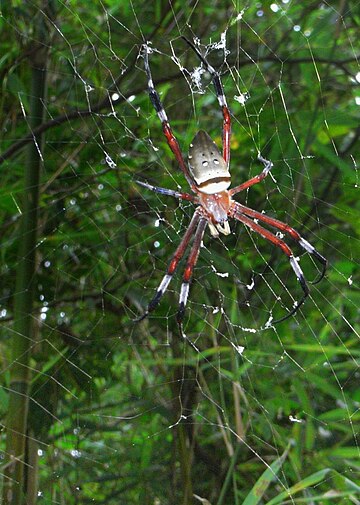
[[158, 106]]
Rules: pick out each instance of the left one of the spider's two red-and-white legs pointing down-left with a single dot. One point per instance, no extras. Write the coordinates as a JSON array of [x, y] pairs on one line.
[[179, 253]]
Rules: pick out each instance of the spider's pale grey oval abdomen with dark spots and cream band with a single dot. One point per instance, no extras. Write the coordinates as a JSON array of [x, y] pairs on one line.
[[207, 166]]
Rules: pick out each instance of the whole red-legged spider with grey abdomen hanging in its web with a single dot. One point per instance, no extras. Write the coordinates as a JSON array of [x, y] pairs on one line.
[[208, 175]]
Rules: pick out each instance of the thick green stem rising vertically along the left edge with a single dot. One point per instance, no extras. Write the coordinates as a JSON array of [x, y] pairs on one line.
[[24, 293]]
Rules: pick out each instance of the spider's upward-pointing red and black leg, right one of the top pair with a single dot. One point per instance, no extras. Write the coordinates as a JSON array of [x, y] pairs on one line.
[[219, 90]]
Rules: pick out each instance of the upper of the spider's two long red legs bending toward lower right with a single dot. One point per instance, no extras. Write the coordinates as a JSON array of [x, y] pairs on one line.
[[289, 230]]
